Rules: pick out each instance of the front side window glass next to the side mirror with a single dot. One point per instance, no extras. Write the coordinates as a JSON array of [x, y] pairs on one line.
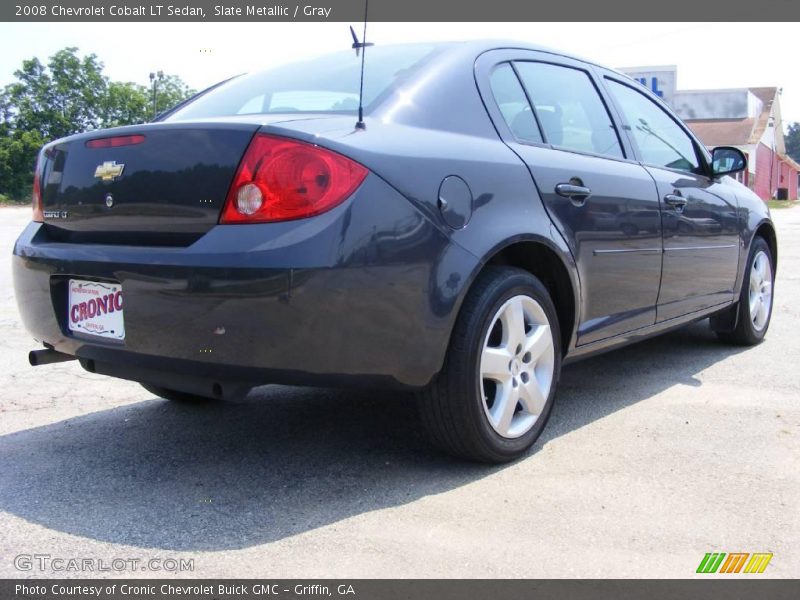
[[661, 141]]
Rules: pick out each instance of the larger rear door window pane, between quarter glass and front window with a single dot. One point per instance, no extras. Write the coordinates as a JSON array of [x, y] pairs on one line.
[[569, 108]]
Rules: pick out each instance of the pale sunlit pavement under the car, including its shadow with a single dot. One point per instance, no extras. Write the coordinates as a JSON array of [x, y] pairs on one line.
[[654, 455]]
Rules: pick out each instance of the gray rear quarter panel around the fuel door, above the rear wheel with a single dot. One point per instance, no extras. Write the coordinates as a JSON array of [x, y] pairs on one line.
[[440, 128]]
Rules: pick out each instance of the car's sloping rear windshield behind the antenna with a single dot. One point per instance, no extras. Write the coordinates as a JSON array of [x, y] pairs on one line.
[[328, 84]]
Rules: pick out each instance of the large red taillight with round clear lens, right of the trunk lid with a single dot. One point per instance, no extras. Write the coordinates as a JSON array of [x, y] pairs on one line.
[[281, 179]]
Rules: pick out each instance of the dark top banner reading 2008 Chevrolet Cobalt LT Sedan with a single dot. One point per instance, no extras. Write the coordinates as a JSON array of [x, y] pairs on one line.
[[398, 10]]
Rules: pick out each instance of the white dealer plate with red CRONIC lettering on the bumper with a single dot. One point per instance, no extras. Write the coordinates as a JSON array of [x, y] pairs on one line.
[[96, 309]]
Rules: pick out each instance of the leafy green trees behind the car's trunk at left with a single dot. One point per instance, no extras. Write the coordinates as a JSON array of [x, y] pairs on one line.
[[70, 94]]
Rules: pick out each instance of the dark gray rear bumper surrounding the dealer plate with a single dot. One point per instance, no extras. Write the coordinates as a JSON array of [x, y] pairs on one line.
[[366, 293]]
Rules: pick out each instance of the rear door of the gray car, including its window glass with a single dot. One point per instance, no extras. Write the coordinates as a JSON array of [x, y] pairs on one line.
[[551, 114]]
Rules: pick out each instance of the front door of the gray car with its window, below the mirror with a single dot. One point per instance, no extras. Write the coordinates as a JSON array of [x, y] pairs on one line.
[[700, 227]]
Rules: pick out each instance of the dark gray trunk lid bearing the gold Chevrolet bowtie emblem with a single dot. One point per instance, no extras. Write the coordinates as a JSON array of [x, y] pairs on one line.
[[155, 184]]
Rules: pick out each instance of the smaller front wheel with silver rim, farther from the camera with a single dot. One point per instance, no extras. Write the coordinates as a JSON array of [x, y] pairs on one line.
[[755, 300]]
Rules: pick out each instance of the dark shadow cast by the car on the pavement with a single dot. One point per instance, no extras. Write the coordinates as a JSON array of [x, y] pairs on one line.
[[219, 476]]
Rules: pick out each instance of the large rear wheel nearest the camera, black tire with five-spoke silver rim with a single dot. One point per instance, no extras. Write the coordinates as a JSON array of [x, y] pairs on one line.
[[495, 392]]
